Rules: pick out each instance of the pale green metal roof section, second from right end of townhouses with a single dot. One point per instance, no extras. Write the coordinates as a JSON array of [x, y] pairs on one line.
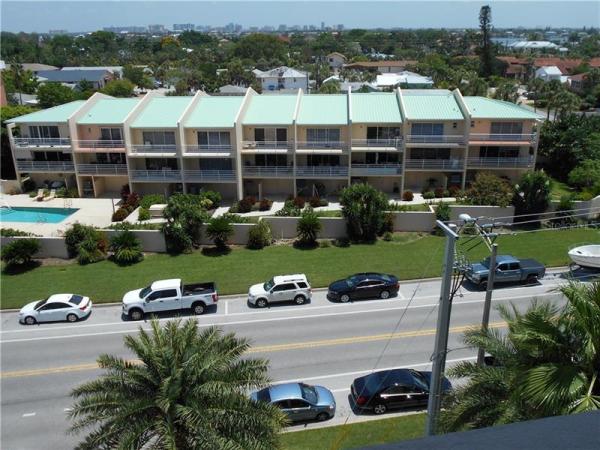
[[431, 104]]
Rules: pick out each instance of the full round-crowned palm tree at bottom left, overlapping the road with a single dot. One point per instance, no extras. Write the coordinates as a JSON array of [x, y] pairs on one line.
[[188, 391]]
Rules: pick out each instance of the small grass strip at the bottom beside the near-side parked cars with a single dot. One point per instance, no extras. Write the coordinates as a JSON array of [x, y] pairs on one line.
[[357, 435]]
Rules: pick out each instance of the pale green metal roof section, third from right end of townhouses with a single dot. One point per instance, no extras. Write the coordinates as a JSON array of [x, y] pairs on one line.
[[375, 108]]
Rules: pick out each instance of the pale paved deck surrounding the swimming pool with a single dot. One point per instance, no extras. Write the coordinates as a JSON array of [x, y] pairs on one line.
[[91, 211]]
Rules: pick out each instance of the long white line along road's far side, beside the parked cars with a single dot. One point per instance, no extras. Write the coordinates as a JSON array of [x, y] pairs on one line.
[[279, 319]]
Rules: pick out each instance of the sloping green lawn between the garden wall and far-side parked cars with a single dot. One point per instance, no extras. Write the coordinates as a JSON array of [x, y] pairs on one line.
[[408, 256]]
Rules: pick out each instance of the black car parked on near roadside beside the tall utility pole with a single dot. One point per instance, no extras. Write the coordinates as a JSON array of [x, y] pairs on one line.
[[381, 391]]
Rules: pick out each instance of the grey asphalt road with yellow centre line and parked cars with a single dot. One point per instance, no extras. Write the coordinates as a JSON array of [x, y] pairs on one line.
[[319, 343]]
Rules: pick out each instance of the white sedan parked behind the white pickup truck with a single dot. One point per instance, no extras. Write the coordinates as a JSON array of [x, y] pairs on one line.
[[69, 307]]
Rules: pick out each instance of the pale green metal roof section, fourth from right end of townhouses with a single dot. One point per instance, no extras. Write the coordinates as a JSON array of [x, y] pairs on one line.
[[323, 109]]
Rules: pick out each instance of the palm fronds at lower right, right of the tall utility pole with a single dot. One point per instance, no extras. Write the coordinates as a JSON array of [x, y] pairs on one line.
[[546, 364]]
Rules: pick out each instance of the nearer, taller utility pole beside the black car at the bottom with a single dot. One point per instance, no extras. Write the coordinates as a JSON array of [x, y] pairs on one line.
[[442, 329]]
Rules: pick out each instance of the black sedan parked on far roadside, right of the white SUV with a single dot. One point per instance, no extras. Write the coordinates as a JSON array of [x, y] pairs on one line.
[[363, 285]]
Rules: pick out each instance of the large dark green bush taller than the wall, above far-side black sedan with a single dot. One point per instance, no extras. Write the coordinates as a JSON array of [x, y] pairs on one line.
[[363, 208]]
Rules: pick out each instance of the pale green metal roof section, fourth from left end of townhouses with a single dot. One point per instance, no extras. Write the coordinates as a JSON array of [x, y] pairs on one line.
[[214, 112]]
